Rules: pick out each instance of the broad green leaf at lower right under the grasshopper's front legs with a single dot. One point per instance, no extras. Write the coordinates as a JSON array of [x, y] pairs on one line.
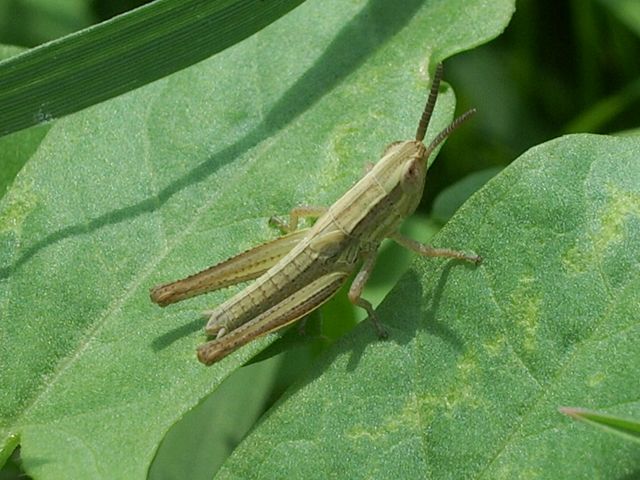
[[480, 358]]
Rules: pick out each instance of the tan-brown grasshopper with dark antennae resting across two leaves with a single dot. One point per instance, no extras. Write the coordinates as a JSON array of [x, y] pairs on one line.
[[298, 272]]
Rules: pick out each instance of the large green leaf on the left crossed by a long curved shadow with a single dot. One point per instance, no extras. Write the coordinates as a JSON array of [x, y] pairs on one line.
[[173, 177]]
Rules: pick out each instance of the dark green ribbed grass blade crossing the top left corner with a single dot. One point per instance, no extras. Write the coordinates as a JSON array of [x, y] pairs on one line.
[[124, 53]]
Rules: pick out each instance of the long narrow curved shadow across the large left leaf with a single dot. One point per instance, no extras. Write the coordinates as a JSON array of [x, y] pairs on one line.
[[371, 28]]
